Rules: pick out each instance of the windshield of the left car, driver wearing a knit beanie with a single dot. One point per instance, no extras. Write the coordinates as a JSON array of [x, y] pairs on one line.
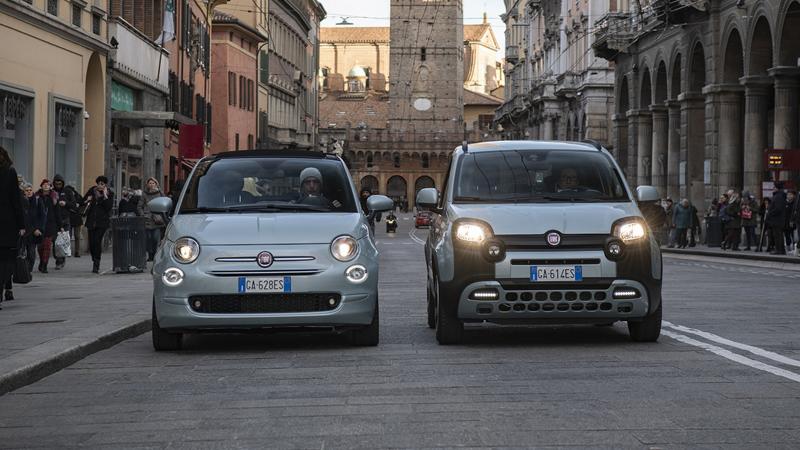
[[269, 184]]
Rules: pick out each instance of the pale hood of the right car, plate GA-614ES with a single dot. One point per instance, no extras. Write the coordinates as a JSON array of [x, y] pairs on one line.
[[539, 218]]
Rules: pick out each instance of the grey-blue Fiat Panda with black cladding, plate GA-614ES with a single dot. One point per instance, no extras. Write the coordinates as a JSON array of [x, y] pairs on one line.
[[540, 233]]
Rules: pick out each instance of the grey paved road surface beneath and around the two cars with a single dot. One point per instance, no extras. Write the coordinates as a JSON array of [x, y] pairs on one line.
[[725, 373]]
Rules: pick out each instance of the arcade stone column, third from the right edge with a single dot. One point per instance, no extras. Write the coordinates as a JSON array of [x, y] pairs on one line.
[[731, 148]]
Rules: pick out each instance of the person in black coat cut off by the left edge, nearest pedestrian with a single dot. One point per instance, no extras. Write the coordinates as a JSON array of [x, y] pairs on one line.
[[12, 221]]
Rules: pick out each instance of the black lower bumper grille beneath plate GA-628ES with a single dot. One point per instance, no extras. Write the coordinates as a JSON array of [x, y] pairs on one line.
[[264, 303]]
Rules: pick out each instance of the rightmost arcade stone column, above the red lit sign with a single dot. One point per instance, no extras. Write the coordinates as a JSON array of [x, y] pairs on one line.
[[787, 88]]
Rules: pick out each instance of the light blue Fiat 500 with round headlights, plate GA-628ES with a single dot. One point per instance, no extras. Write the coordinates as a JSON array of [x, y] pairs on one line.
[[267, 240]]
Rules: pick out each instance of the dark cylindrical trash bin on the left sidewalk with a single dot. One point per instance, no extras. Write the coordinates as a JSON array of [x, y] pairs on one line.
[[129, 244]]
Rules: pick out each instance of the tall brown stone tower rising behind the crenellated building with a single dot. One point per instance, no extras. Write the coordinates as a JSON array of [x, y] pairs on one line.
[[427, 70]]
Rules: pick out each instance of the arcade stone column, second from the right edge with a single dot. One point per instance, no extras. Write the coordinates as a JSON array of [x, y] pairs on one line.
[[755, 125]]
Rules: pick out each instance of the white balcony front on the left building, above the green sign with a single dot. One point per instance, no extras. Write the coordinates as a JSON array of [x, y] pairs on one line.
[[139, 58]]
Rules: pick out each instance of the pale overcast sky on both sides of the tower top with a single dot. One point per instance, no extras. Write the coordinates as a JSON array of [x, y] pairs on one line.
[[376, 13]]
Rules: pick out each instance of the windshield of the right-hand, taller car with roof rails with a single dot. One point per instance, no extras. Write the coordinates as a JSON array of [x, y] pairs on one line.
[[538, 176]]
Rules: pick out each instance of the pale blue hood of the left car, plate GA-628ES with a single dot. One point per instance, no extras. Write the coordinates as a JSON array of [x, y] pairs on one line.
[[266, 228]]
